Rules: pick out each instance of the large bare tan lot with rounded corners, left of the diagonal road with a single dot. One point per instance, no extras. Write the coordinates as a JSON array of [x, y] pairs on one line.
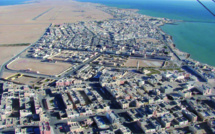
[[35, 65]]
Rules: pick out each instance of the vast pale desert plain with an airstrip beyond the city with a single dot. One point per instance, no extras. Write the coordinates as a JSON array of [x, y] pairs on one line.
[[27, 22]]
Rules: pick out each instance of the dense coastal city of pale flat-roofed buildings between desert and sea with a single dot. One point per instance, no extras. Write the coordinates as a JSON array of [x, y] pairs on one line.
[[117, 76]]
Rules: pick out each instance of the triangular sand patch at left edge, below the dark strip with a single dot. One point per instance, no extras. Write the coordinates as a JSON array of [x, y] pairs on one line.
[[7, 52]]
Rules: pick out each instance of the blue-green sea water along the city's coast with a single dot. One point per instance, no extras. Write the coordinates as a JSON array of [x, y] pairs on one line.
[[195, 36]]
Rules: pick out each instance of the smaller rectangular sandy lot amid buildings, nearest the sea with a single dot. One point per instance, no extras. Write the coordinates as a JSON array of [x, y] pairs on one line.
[[132, 62]]
